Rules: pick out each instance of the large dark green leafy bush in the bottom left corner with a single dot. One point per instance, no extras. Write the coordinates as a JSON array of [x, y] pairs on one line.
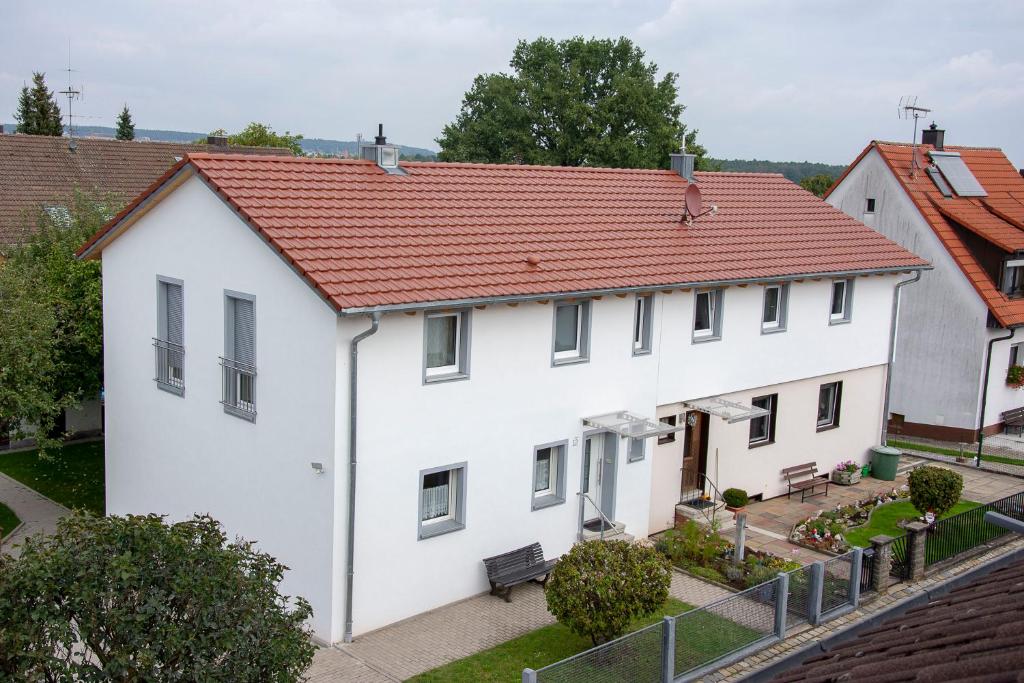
[[138, 600]]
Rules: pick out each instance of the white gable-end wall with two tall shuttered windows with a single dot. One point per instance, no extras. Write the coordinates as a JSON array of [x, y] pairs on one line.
[[180, 456]]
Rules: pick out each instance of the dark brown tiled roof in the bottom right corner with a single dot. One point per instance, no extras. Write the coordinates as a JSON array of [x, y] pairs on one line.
[[973, 633]]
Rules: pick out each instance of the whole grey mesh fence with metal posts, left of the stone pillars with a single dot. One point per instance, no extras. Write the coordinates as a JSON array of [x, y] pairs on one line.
[[702, 641]]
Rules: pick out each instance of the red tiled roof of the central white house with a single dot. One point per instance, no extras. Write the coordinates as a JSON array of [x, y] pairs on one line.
[[457, 232]]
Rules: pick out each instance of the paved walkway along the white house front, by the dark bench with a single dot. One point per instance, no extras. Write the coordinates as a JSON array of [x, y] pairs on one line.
[[430, 641]]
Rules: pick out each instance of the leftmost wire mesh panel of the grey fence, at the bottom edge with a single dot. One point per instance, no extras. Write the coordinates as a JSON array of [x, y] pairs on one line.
[[635, 657]]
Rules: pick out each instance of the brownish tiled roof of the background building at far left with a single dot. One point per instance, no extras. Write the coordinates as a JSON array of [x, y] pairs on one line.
[[37, 170]]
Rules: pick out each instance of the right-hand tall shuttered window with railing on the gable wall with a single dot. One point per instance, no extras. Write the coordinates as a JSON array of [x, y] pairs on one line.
[[239, 362]]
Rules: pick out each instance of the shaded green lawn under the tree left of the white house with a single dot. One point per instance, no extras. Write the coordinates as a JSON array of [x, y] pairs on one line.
[[73, 477]]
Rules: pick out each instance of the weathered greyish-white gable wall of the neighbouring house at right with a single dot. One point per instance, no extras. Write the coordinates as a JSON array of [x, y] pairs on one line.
[[942, 334]]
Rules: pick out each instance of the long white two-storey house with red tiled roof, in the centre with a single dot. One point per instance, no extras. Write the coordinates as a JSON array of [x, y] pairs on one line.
[[535, 349]]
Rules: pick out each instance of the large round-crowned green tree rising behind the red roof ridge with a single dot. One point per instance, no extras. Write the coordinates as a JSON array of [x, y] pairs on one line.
[[572, 103]]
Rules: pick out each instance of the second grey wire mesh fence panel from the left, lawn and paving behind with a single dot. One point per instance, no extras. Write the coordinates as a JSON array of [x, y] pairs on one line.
[[727, 627]]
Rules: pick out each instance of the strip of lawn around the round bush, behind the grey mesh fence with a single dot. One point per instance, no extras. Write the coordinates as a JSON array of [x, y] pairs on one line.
[[706, 637]]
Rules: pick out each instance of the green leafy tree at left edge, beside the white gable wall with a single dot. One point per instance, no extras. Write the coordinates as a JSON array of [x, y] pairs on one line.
[[52, 320]]
